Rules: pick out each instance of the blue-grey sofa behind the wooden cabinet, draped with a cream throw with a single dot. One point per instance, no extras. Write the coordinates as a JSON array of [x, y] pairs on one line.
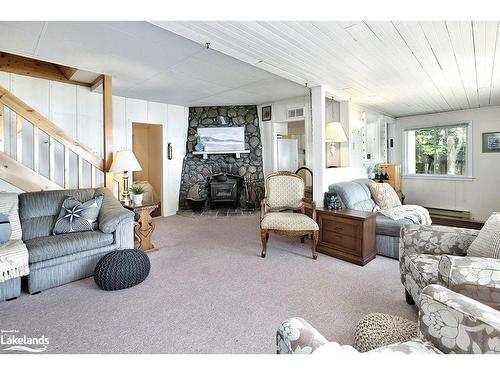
[[356, 195]]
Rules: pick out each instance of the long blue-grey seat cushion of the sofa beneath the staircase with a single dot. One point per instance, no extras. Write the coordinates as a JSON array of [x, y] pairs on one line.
[[49, 247]]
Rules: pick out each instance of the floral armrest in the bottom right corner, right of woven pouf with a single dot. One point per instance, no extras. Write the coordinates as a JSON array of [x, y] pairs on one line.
[[457, 324]]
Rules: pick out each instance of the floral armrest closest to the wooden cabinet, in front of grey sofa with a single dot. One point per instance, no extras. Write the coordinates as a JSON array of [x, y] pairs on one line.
[[435, 240]]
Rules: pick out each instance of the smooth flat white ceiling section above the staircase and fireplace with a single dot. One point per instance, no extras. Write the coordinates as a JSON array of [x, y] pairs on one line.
[[146, 62]]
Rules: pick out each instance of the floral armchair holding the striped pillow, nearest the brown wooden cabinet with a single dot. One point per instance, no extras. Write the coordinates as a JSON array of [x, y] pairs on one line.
[[438, 255]]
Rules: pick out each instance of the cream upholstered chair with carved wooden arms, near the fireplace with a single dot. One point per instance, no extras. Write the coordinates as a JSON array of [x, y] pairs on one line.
[[284, 195]]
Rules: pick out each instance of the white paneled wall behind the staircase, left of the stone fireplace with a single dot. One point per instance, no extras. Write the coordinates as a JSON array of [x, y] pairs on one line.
[[78, 111]]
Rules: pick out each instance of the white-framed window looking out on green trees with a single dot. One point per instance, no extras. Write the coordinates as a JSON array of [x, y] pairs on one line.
[[439, 151]]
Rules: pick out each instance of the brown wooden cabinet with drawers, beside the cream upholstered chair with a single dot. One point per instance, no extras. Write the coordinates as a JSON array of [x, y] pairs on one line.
[[347, 234]]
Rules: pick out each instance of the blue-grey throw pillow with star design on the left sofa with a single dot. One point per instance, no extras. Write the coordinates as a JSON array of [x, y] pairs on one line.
[[78, 217]]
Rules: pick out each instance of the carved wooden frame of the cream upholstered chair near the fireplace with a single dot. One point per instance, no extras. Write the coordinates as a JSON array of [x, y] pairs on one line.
[[306, 204]]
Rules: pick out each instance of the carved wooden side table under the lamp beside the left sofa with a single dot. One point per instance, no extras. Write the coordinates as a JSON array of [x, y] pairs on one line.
[[144, 226]]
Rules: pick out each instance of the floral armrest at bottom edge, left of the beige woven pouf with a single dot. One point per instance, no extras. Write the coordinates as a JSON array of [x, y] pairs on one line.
[[296, 336]]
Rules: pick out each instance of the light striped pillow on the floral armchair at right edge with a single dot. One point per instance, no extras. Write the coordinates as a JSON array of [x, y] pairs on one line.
[[487, 243]]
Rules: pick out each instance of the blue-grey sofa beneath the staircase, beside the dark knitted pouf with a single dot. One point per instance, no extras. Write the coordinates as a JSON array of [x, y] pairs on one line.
[[59, 259]]
